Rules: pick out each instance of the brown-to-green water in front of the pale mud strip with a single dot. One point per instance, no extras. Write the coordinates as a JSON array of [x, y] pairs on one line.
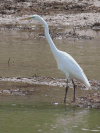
[[41, 109]]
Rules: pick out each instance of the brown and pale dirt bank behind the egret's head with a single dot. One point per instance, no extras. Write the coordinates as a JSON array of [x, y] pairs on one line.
[[74, 15]]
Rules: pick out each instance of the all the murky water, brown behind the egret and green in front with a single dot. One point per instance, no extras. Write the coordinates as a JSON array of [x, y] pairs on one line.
[[21, 55]]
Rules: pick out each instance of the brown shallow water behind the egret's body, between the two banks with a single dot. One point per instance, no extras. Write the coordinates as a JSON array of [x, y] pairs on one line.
[[22, 55]]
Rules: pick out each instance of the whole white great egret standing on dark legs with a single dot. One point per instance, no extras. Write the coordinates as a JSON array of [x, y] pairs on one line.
[[65, 62]]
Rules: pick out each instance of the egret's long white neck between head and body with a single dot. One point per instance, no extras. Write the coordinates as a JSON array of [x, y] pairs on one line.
[[52, 45]]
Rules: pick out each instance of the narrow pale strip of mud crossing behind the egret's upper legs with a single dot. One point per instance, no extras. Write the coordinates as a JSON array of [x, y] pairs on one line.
[[95, 84]]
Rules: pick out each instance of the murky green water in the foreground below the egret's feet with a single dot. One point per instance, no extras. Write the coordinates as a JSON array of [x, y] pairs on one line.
[[47, 118]]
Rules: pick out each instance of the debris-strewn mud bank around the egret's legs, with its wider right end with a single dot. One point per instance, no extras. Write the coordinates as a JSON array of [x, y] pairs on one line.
[[86, 100]]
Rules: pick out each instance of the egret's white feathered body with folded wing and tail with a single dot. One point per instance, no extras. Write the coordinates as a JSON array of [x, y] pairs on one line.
[[70, 68]]
